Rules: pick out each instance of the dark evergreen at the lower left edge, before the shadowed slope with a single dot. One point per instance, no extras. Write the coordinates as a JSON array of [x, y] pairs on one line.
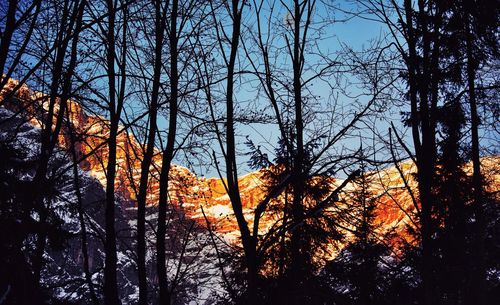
[[20, 222]]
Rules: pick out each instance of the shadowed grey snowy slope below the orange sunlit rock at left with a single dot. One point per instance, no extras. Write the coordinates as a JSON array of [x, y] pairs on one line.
[[196, 272]]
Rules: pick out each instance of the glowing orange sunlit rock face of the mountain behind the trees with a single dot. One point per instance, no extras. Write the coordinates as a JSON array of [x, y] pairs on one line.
[[395, 210]]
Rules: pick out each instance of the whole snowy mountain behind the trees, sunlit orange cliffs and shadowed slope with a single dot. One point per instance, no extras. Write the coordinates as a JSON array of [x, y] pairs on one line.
[[395, 211]]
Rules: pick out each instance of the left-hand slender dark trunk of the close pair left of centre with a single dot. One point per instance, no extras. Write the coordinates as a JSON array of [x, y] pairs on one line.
[[146, 162]]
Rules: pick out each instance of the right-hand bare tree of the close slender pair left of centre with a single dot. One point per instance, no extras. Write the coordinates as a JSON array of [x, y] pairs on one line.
[[186, 19]]
